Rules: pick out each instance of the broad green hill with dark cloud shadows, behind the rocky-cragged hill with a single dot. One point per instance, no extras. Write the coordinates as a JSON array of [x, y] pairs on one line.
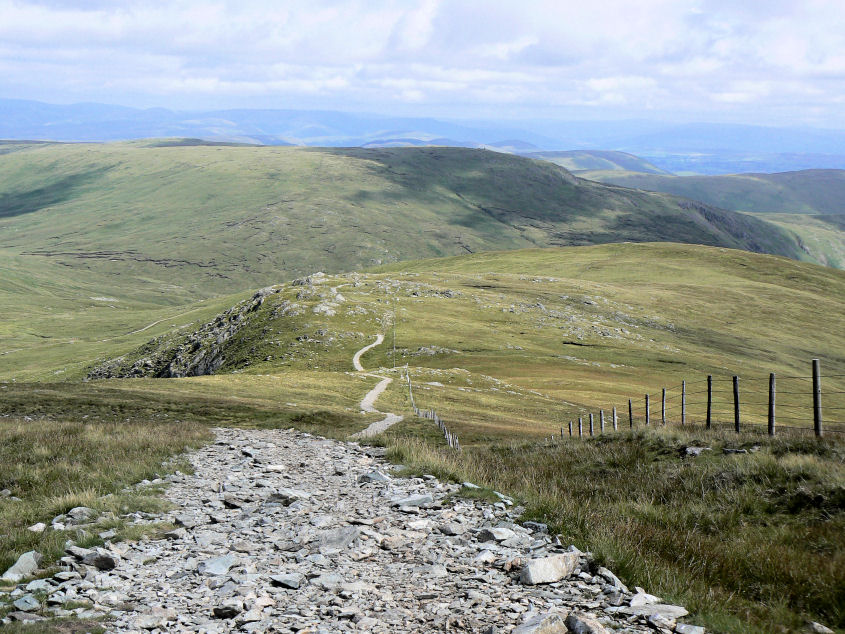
[[200, 220]]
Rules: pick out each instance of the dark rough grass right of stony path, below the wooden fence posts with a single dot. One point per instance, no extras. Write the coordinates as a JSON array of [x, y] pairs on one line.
[[750, 543]]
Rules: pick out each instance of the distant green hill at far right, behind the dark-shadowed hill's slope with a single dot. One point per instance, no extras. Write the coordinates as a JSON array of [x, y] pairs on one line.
[[802, 192]]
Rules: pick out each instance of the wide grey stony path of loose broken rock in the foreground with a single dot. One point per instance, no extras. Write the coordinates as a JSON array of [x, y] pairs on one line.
[[279, 531]]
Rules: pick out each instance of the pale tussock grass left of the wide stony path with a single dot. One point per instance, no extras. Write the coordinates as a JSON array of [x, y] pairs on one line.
[[55, 465]]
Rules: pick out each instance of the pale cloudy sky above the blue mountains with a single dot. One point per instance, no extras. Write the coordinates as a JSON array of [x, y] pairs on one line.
[[771, 62]]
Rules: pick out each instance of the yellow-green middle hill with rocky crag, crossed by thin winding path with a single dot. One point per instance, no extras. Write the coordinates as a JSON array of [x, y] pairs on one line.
[[588, 327]]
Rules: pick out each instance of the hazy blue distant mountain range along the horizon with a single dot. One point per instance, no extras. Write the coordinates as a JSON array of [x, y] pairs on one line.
[[704, 148]]
